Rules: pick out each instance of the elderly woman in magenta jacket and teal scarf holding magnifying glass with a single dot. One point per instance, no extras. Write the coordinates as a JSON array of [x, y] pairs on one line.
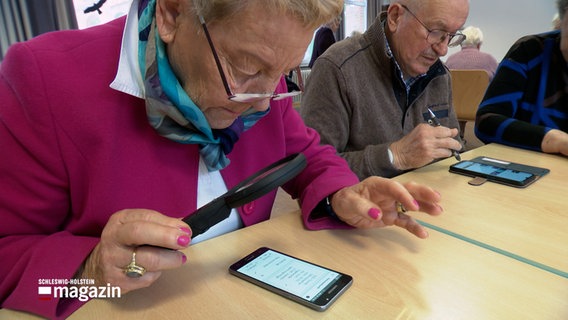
[[111, 134]]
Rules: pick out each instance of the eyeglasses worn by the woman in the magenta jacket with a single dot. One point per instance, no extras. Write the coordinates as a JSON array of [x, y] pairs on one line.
[[241, 97]]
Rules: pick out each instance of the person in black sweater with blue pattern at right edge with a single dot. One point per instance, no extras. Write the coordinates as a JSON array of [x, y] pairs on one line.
[[526, 104]]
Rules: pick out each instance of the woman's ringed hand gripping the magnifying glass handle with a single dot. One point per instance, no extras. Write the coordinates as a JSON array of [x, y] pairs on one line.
[[155, 238]]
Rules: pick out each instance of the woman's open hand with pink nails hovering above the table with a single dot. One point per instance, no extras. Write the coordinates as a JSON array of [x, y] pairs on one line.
[[372, 203]]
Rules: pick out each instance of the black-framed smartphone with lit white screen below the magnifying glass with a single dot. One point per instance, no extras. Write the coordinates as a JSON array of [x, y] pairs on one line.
[[309, 284]]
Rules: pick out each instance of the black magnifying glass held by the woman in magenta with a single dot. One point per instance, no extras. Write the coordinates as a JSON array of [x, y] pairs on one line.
[[250, 189]]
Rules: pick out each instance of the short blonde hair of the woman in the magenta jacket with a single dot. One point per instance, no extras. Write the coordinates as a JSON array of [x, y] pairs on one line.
[[311, 13]]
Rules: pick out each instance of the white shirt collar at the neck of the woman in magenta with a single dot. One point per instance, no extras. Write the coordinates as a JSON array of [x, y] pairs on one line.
[[128, 77]]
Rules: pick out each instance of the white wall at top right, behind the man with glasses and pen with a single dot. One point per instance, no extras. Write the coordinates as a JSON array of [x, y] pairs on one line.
[[504, 21]]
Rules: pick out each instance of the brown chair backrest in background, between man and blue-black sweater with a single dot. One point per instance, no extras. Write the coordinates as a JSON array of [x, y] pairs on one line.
[[468, 89]]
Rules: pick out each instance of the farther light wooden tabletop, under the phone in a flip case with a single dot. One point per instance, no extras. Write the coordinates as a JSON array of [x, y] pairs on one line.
[[531, 223]]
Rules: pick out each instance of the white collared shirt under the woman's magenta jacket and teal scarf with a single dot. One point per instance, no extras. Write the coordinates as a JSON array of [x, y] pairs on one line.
[[128, 79]]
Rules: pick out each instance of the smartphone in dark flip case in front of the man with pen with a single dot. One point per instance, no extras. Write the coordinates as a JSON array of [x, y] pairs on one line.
[[500, 171]]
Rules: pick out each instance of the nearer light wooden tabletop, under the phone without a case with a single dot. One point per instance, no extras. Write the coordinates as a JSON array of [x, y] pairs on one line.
[[396, 276]]
